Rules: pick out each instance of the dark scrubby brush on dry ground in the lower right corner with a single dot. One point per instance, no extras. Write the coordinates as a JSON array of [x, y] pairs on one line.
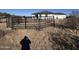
[[64, 41]]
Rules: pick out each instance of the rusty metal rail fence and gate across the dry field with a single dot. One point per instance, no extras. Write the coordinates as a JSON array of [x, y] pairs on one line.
[[16, 22]]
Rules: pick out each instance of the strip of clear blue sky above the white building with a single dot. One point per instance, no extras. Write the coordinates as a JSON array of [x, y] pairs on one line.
[[28, 12]]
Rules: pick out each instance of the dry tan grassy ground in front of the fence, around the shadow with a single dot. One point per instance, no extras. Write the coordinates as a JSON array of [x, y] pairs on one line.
[[47, 39]]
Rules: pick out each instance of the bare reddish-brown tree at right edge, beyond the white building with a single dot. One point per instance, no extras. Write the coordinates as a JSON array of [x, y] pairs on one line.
[[73, 20]]
